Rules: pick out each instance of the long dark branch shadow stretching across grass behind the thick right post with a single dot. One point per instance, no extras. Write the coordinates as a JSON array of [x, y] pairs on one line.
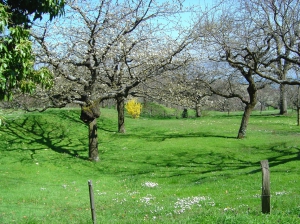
[[198, 168]]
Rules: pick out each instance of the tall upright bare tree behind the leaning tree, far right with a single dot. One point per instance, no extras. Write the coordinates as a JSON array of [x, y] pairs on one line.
[[272, 17]]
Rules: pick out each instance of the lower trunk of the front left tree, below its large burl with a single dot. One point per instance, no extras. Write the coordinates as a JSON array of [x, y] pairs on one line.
[[93, 141]]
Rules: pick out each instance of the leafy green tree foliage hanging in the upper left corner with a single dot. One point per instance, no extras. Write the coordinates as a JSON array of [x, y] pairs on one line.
[[16, 57]]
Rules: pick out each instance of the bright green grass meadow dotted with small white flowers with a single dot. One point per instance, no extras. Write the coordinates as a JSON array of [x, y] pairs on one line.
[[201, 172]]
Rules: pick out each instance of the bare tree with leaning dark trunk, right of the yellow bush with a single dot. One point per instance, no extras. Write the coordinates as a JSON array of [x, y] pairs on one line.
[[234, 44]]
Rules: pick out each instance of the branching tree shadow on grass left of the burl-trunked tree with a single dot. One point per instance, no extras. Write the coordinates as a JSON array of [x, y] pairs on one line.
[[35, 134]]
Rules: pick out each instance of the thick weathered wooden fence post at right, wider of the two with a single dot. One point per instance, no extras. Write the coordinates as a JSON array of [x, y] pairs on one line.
[[265, 195]]
